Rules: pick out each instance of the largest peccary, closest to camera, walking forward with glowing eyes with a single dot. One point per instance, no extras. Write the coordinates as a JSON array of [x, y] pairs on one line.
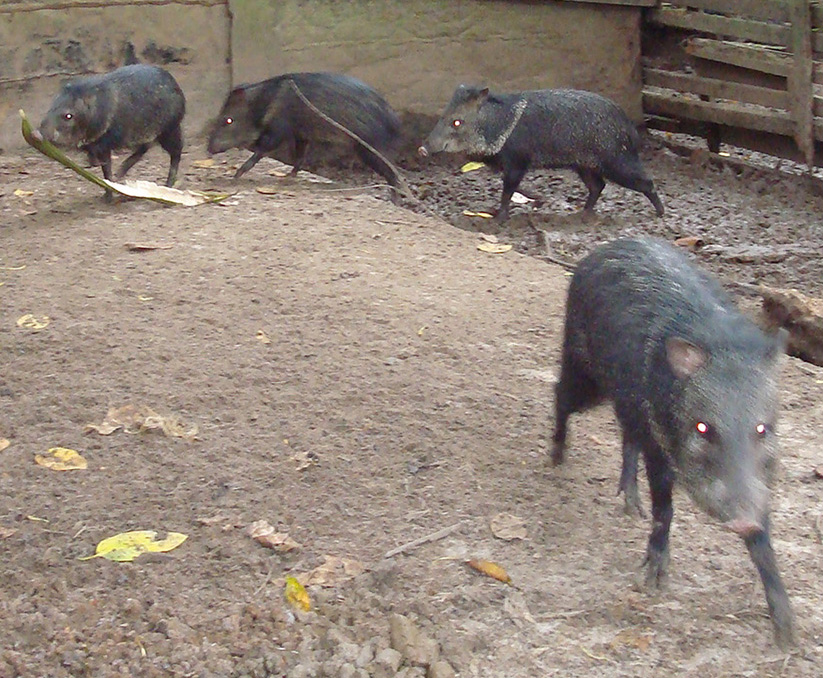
[[694, 386]]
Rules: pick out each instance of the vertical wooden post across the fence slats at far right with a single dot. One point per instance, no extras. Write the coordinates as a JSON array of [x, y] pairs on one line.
[[800, 80]]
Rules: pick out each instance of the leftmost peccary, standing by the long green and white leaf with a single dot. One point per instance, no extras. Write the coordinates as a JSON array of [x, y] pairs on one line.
[[130, 107]]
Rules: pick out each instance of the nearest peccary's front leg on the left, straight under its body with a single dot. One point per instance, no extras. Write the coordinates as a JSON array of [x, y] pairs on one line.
[[661, 481]]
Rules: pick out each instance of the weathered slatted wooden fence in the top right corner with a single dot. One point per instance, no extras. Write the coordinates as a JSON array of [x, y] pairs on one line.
[[748, 72]]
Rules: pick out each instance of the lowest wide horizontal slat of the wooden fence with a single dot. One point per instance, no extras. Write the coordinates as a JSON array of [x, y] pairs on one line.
[[736, 115]]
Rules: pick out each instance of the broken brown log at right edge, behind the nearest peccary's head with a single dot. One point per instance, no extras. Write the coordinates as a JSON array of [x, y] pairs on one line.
[[801, 316]]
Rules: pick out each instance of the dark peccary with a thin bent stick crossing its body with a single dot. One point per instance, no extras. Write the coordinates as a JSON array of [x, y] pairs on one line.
[[264, 115]]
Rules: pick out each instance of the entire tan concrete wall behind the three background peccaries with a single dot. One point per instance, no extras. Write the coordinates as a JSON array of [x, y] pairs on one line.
[[413, 51]]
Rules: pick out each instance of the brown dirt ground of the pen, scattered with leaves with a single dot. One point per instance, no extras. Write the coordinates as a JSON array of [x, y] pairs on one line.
[[360, 376]]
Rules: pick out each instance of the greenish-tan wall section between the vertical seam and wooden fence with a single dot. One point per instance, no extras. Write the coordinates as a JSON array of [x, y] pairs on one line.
[[416, 51]]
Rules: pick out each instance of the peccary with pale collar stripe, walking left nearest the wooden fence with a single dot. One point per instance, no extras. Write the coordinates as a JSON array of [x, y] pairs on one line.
[[550, 128]]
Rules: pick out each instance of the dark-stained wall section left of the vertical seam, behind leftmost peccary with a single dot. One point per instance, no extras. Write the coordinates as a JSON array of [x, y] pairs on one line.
[[43, 43]]
